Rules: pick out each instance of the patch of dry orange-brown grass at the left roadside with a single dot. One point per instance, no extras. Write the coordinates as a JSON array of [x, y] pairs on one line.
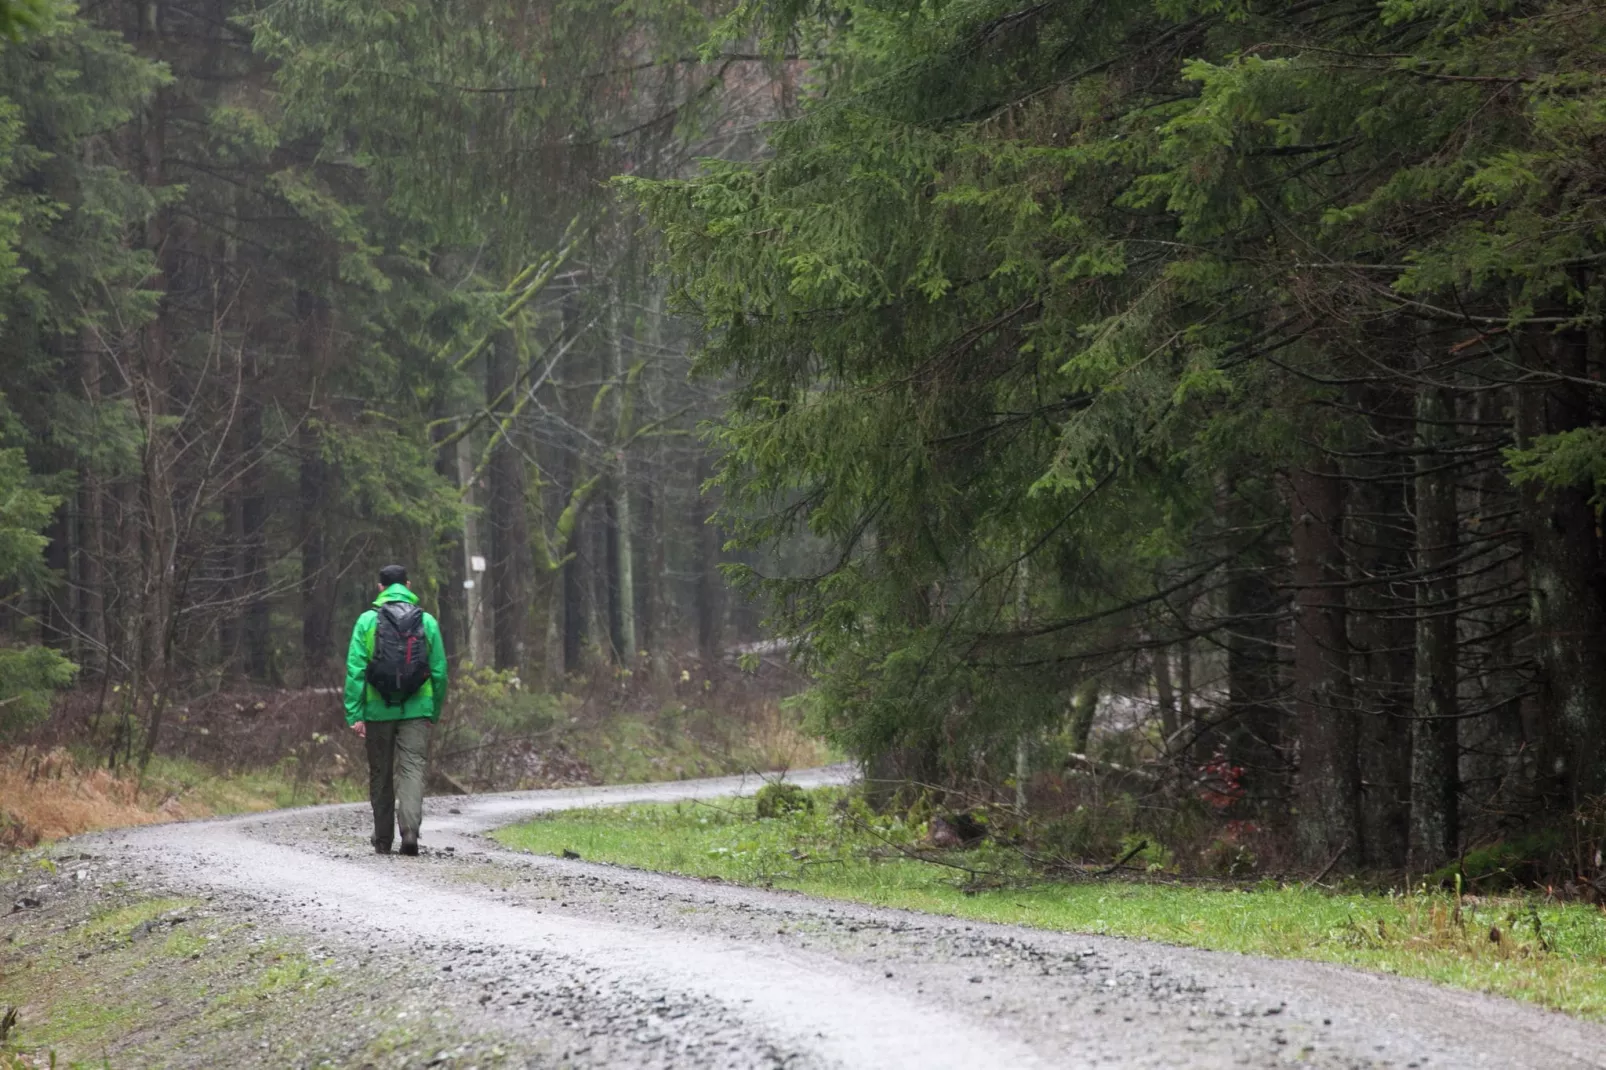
[[47, 794]]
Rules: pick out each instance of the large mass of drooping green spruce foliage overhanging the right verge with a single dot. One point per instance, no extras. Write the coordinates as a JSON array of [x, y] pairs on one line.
[[1033, 308]]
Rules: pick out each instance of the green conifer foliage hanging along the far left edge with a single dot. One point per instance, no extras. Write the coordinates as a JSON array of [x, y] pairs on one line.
[[65, 269]]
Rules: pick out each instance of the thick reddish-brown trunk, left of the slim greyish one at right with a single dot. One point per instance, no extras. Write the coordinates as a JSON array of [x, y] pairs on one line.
[[1329, 782]]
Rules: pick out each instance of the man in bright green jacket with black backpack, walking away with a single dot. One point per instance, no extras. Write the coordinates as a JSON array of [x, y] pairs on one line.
[[396, 684]]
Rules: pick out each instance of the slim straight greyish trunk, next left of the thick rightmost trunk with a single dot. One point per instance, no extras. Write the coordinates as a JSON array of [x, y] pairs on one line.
[[1435, 783]]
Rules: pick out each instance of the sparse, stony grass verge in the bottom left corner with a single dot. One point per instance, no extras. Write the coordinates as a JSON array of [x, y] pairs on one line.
[[110, 978]]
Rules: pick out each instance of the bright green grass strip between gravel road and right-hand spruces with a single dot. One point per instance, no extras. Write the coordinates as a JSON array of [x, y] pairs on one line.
[[1520, 947]]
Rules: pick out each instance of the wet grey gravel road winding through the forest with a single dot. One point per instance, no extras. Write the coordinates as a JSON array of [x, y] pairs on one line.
[[581, 965]]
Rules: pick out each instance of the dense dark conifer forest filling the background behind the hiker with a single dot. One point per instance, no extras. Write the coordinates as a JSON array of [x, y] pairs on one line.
[[1194, 394]]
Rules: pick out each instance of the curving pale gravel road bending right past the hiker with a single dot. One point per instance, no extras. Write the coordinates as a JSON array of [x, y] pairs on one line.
[[1064, 1000]]
